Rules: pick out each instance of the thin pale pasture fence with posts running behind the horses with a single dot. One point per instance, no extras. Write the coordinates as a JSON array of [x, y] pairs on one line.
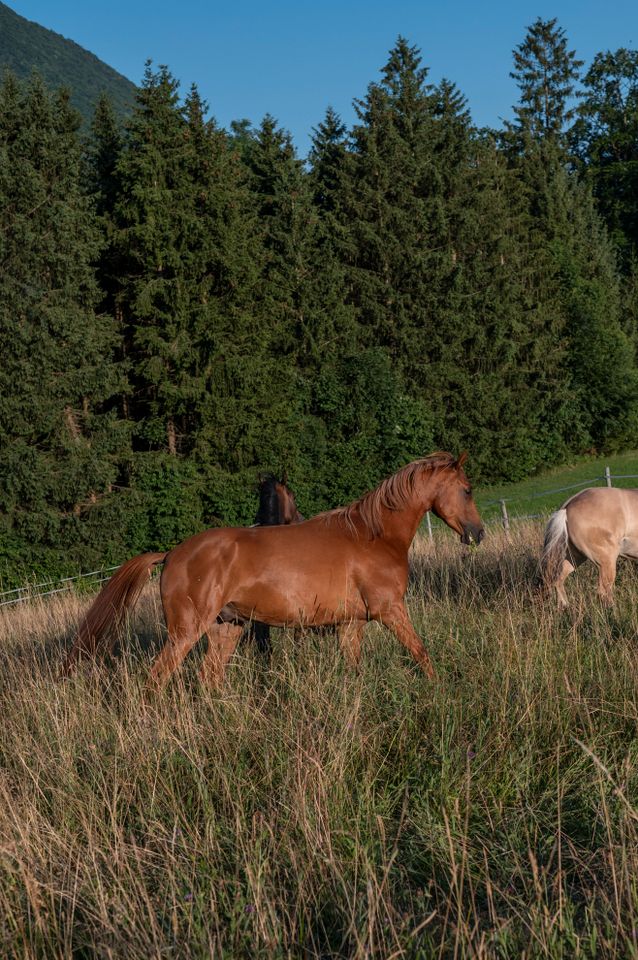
[[33, 591]]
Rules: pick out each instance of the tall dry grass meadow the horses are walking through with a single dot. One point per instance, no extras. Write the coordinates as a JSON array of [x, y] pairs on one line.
[[311, 811]]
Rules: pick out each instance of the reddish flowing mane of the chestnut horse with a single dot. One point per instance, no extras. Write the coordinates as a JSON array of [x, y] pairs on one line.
[[393, 493]]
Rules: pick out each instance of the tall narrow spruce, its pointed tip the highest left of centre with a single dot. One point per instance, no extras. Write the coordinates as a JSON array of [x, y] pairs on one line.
[[154, 214]]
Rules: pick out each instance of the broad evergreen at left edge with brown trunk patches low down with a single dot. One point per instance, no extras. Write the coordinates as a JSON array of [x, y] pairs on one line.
[[61, 446]]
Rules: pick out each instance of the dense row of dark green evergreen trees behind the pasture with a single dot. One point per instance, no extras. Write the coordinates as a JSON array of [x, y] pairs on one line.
[[183, 306]]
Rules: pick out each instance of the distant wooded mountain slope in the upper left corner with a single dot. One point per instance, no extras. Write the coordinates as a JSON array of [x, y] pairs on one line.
[[26, 46]]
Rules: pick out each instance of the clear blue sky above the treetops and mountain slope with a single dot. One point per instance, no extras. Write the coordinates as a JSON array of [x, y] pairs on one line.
[[294, 58]]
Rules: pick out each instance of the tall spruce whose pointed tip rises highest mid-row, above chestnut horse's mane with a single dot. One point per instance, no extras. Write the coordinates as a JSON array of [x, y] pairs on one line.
[[396, 247]]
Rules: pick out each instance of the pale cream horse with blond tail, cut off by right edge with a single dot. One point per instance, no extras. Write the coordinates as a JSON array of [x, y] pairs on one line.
[[598, 524]]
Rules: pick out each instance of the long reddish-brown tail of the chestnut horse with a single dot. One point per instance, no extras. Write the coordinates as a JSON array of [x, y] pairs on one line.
[[107, 610]]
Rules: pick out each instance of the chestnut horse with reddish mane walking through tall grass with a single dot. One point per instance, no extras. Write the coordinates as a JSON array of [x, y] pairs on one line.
[[344, 567]]
